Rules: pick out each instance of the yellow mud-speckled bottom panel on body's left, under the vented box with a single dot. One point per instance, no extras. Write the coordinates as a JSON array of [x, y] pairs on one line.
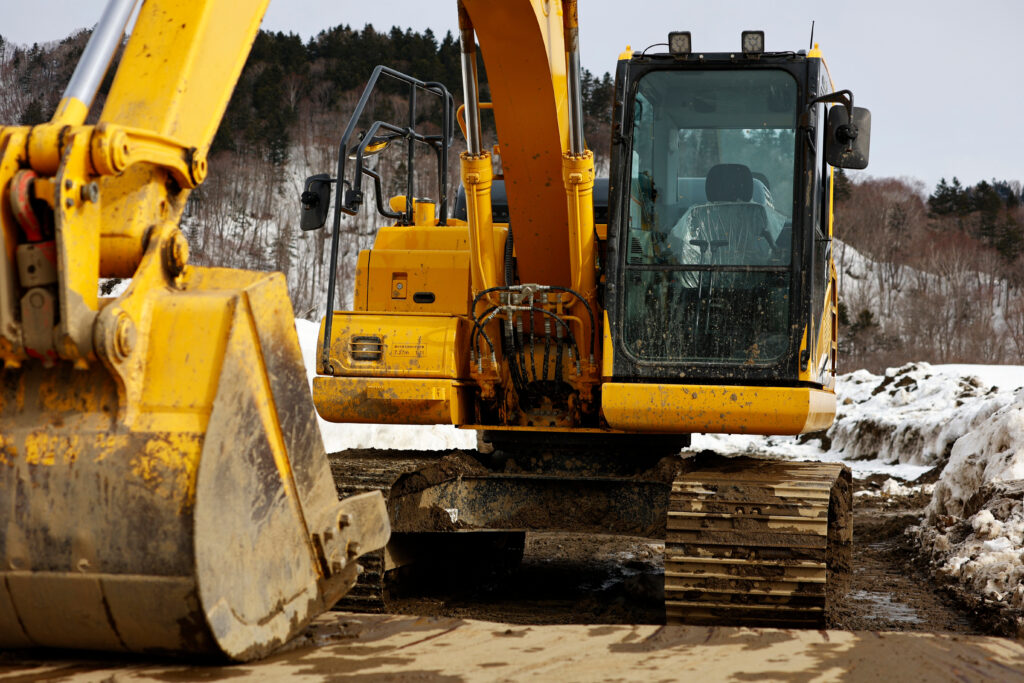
[[391, 401]]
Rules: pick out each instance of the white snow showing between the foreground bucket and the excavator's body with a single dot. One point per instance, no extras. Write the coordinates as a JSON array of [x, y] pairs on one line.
[[343, 437]]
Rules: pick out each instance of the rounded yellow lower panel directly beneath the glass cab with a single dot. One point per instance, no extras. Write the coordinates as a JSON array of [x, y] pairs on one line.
[[710, 409]]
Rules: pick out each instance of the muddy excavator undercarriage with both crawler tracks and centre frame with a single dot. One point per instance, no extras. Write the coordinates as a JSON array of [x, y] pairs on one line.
[[748, 541]]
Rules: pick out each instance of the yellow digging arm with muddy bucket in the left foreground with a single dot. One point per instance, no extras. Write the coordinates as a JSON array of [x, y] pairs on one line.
[[164, 487]]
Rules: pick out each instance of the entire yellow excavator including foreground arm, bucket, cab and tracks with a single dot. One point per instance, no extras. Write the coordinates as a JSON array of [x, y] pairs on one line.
[[163, 484]]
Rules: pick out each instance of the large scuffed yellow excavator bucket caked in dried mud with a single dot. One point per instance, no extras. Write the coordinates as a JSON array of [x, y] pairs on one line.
[[206, 523]]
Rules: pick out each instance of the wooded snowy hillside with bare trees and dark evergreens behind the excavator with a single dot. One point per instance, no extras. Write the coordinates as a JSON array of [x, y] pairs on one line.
[[934, 275]]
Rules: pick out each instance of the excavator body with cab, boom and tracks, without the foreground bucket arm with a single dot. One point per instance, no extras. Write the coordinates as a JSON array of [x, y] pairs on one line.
[[587, 327]]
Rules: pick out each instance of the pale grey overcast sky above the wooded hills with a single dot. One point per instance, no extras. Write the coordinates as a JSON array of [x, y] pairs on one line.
[[944, 79]]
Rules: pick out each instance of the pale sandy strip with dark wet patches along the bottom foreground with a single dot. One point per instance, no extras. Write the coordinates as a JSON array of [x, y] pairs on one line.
[[345, 647]]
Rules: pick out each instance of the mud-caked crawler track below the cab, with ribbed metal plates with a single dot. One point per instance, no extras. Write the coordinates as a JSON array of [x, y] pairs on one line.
[[757, 545]]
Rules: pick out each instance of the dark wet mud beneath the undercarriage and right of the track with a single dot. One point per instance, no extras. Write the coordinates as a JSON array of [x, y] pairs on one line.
[[584, 579]]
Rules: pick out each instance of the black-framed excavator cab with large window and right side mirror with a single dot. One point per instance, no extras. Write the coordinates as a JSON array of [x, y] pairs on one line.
[[720, 234]]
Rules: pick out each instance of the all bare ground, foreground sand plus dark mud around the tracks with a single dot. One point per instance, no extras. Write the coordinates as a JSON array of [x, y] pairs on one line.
[[588, 609]]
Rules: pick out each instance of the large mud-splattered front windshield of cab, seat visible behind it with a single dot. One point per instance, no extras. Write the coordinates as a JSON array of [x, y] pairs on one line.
[[711, 217]]
